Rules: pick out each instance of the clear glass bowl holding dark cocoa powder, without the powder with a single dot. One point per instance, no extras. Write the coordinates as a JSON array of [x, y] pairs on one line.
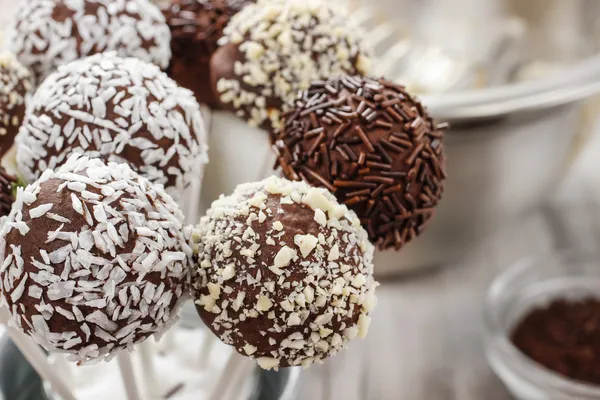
[[531, 283]]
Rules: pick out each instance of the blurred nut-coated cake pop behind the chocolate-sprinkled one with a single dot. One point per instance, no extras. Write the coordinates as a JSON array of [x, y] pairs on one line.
[[275, 48]]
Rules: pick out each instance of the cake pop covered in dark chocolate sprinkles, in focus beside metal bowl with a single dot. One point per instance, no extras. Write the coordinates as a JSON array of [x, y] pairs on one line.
[[374, 146]]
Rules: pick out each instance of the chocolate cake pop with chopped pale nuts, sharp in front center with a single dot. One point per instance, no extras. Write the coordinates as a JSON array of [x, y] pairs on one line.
[[284, 273]]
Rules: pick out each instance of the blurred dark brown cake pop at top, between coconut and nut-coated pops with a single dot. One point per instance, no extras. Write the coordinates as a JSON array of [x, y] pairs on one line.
[[196, 26]]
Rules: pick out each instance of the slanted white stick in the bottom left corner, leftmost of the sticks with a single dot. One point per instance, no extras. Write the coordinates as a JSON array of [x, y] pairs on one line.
[[36, 358]]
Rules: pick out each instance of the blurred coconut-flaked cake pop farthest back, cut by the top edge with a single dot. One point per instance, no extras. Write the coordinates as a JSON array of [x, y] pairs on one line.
[[50, 33]]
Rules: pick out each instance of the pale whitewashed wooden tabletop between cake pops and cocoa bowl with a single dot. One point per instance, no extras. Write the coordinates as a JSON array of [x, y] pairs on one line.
[[426, 337]]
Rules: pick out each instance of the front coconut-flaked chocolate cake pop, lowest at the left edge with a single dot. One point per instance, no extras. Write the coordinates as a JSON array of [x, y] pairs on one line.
[[95, 259]]
